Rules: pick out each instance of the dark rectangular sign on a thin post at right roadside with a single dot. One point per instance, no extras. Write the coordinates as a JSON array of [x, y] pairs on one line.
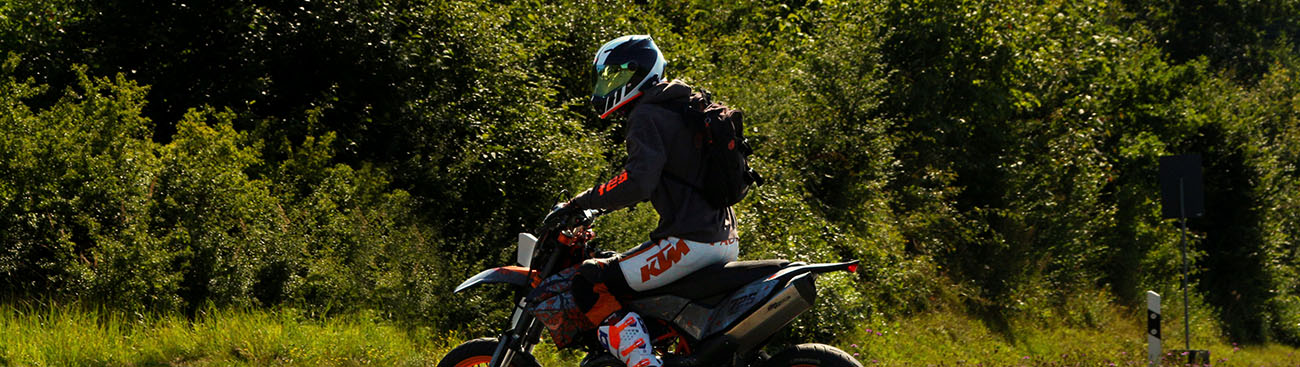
[[1182, 196]]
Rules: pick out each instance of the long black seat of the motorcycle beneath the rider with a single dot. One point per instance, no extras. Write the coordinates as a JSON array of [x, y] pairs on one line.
[[716, 280]]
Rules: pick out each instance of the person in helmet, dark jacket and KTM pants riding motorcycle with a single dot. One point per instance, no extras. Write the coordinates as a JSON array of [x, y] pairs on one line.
[[664, 166]]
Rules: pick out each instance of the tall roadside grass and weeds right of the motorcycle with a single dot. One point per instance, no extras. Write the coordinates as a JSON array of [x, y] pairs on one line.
[[1089, 331]]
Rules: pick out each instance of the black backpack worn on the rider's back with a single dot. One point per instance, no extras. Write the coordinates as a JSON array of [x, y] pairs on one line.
[[721, 135]]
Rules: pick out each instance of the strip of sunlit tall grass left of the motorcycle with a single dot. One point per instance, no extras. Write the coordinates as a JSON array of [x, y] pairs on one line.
[[88, 336]]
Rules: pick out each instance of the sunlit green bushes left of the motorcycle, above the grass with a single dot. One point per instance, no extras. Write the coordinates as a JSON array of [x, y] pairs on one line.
[[96, 209]]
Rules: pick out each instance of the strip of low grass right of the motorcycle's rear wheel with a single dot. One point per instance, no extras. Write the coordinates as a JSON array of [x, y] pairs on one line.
[[959, 340]]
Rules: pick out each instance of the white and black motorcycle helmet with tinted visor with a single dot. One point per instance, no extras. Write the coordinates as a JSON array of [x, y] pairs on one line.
[[623, 68]]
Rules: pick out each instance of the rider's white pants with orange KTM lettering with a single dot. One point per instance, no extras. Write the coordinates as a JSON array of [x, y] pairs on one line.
[[656, 265]]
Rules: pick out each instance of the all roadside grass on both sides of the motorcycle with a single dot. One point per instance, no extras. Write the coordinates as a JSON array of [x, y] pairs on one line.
[[83, 336]]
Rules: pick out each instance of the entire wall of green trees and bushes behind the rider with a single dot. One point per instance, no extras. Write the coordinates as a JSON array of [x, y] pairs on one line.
[[989, 158]]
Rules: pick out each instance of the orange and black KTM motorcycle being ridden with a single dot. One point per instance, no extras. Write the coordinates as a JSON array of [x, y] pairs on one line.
[[723, 316]]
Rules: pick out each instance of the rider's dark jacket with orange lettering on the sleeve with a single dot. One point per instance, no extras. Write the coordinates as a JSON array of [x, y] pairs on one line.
[[664, 165]]
